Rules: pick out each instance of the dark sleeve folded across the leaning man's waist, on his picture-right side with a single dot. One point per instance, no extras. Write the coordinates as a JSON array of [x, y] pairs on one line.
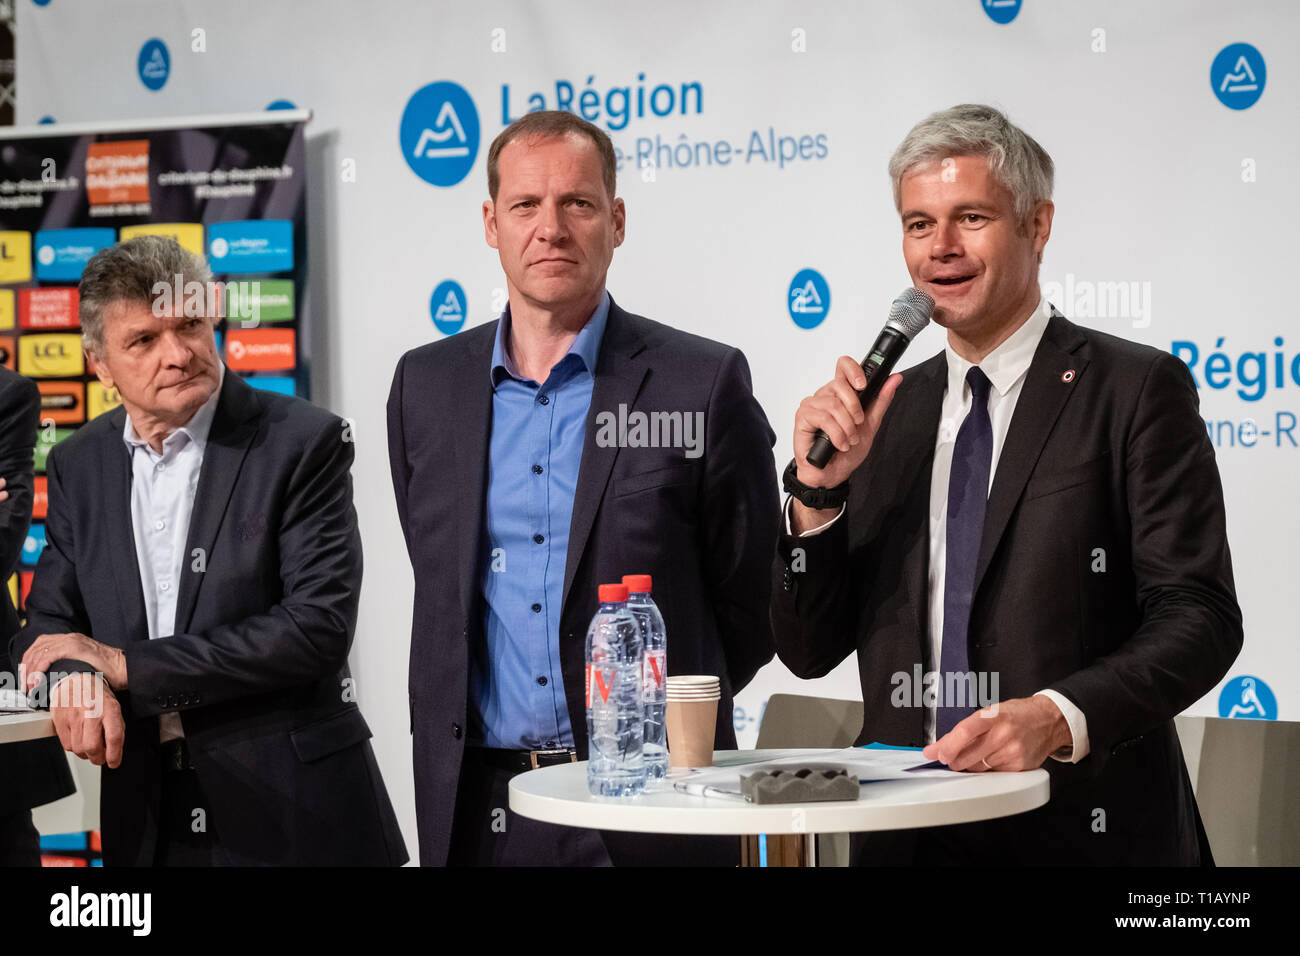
[[302, 638]]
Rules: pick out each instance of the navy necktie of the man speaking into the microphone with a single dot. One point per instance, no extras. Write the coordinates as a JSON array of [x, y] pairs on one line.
[[968, 500]]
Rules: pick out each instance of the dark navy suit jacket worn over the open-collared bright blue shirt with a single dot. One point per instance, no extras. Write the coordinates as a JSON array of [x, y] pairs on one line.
[[703, 527]]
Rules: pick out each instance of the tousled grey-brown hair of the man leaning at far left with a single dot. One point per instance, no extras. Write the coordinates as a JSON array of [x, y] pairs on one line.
[[128, 272]]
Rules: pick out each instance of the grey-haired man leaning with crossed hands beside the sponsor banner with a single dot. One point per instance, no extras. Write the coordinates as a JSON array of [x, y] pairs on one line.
[[197, 598]]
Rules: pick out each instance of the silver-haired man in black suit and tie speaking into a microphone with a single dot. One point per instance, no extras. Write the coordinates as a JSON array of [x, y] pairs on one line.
[[1037, 525]]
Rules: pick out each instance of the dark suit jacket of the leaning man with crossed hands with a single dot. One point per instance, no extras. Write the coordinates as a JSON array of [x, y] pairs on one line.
[[258, 665]]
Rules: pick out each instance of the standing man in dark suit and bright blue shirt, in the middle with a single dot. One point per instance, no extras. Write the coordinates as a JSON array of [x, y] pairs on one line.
[[523, 483]]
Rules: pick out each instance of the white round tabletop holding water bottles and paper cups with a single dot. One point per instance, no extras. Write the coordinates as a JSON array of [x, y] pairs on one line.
[[558, 795]]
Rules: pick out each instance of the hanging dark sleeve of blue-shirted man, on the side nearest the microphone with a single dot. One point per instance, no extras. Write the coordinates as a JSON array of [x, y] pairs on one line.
[[739, 517]]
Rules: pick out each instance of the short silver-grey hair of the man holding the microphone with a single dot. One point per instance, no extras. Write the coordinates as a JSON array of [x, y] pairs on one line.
[[1015, 159]]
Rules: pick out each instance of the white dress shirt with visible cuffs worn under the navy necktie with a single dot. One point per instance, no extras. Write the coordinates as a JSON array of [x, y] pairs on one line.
[[1006, 367]]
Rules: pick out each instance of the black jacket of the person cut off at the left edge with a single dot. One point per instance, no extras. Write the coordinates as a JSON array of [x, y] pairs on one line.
[[33, 772]]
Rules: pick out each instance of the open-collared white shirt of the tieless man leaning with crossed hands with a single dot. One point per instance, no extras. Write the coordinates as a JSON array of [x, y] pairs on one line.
[[163, 488]]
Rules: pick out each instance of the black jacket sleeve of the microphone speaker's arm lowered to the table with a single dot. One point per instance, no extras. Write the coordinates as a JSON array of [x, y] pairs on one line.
[[1191, 622]]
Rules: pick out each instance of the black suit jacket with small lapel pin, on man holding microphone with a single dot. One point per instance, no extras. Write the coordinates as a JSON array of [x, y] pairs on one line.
[[1117, 460]]
